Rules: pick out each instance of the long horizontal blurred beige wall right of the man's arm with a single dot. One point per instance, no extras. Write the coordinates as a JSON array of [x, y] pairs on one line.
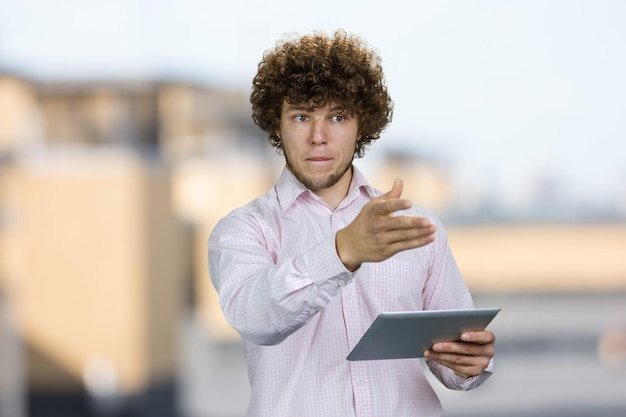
[[541, 257]]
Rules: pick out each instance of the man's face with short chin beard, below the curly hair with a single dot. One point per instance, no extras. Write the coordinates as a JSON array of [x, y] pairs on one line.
[[319, 145]]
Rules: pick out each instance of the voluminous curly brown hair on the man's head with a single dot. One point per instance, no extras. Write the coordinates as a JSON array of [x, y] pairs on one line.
[[317, 69]]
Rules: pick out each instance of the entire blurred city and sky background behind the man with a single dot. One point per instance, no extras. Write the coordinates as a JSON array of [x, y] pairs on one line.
[[125, 134]]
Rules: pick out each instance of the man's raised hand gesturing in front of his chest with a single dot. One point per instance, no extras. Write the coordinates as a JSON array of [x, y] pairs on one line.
[[376, 234]]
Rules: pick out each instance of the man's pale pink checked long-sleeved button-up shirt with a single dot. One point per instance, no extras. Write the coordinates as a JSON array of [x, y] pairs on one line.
[[300, 311]]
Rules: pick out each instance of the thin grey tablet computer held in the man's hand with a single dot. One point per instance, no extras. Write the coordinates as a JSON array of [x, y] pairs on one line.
[[407, 334]]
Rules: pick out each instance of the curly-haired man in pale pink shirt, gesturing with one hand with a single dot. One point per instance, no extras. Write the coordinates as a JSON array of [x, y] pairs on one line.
[[303, 271]]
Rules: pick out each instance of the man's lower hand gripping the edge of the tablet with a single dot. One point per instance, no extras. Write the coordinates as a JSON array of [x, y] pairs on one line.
[[467, 358]]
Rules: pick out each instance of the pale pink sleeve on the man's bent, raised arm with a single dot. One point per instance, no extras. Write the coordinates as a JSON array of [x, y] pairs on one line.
[[265, 301]]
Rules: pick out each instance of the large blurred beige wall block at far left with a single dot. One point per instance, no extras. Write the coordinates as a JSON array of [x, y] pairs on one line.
[[97, 268]]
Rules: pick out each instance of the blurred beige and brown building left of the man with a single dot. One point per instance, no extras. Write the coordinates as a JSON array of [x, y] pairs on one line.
[[97, 234]]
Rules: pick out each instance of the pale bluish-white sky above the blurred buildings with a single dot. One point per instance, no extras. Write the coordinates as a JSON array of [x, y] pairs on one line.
[[510, 94]]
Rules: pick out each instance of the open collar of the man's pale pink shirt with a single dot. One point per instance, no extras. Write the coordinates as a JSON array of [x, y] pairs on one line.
[[288, 188]]
